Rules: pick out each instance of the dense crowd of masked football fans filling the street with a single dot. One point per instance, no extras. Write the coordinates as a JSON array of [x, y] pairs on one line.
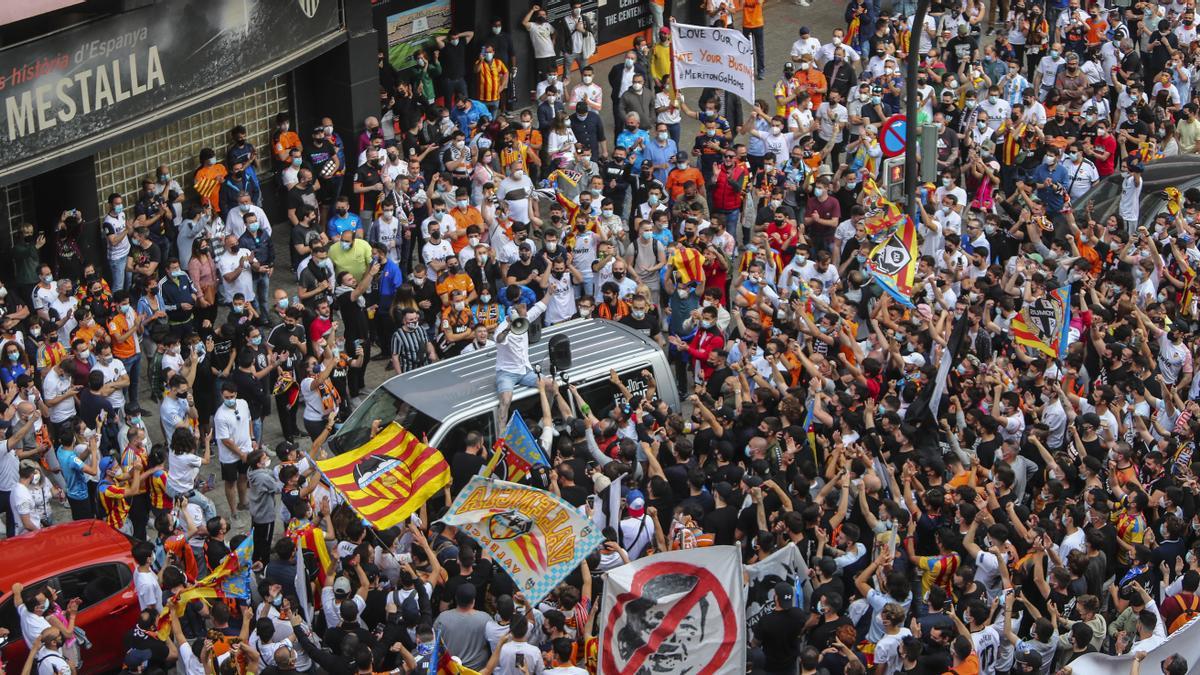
[[1047, 510]]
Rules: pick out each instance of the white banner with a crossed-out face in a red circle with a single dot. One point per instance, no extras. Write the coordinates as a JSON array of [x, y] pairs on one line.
[[679, 612]]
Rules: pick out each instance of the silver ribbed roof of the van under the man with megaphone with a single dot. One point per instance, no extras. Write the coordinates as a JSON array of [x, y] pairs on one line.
[[467, 383]]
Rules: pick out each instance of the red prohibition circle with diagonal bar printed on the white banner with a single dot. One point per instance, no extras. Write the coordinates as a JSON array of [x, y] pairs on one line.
[[707, 584]]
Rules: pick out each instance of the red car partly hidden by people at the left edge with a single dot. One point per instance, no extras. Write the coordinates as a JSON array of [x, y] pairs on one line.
[[91, 561]]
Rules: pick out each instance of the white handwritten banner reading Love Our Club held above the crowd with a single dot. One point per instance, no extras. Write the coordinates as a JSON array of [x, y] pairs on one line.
[[713, 57]]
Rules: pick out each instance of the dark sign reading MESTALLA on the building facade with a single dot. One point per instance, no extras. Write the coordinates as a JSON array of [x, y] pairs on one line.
[[88, 86]]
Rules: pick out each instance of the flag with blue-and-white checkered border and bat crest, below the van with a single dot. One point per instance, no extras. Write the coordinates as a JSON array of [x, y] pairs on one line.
[[537, 537]]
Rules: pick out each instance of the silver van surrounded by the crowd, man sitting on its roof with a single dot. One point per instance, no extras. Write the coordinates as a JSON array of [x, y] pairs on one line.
[[445, 402]]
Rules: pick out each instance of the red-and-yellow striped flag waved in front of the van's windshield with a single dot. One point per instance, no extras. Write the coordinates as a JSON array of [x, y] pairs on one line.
[[389, 477]]
